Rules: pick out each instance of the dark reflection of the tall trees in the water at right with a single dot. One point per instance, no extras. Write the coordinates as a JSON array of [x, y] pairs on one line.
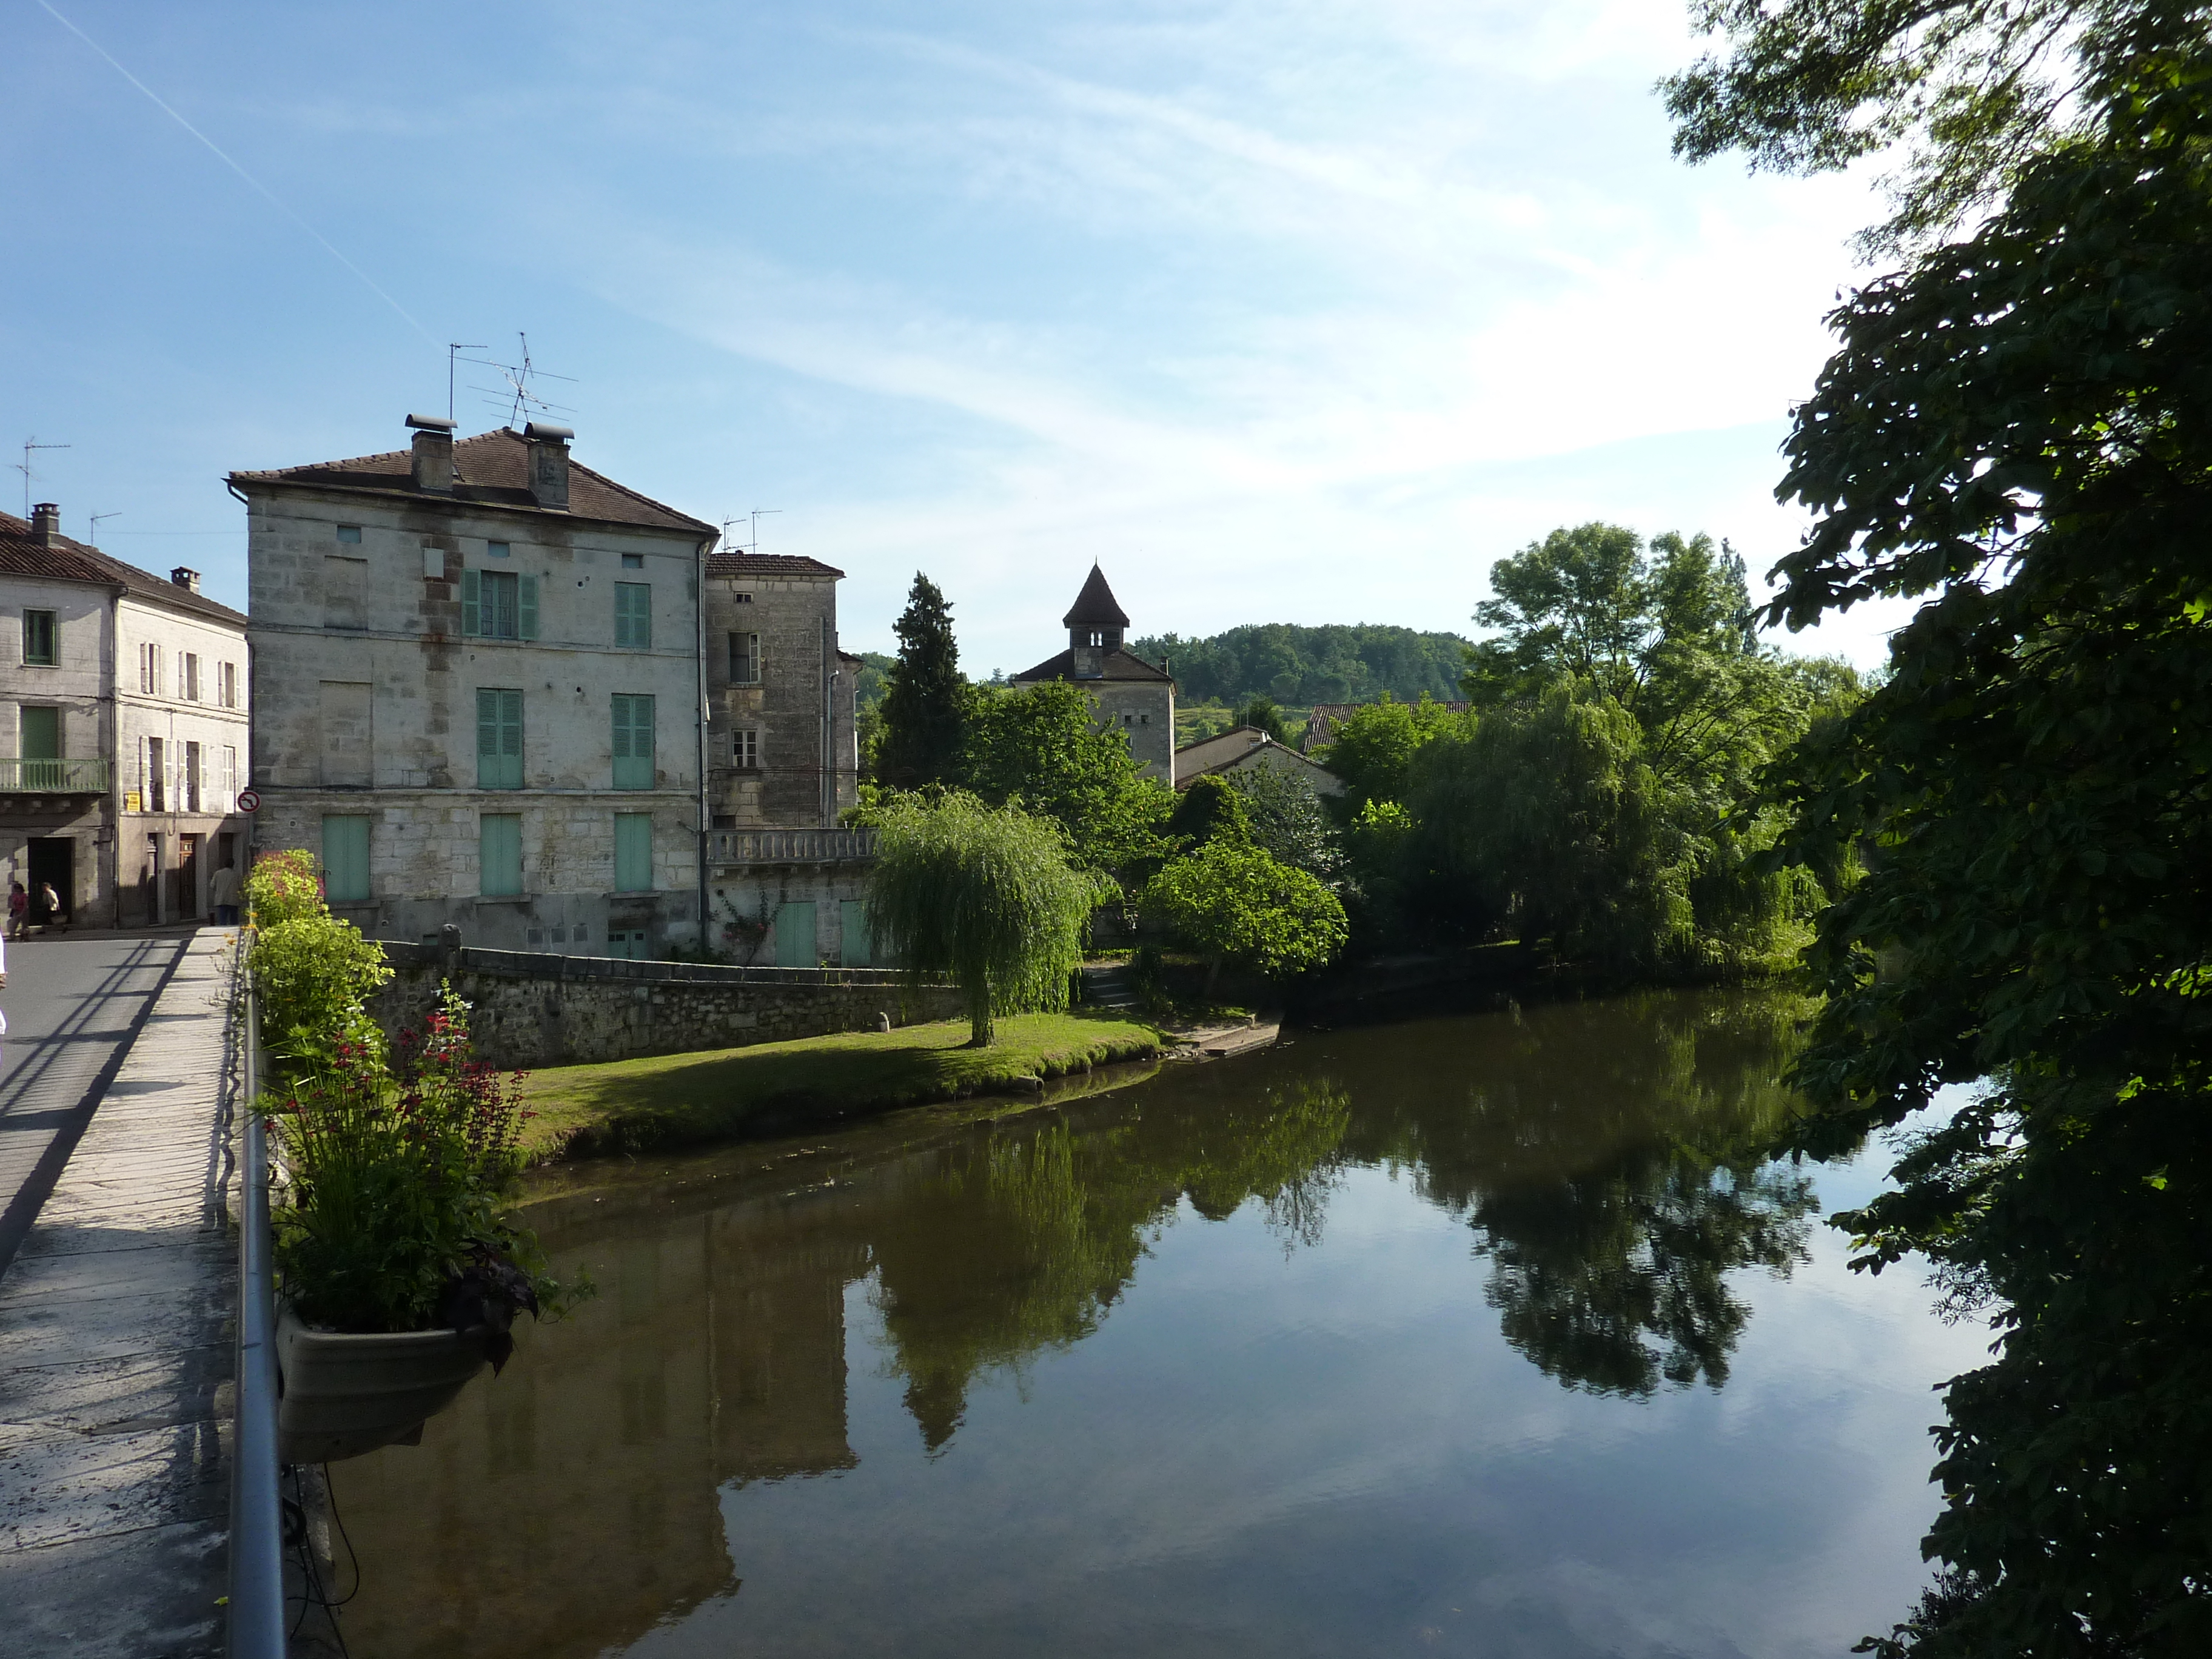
[[1614, 1165]]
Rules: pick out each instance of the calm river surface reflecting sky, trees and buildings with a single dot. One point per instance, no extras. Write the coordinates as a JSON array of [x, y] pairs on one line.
[[1483, 1335]]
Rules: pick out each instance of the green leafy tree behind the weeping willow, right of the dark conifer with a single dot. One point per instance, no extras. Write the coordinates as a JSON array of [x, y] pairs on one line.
[[1041, 749]]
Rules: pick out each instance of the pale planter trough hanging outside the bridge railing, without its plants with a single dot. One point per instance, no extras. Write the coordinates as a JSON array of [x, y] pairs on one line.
[[353, 1392]]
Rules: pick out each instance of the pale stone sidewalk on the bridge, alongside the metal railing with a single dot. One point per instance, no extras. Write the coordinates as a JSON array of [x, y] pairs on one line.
[[116, 1355]]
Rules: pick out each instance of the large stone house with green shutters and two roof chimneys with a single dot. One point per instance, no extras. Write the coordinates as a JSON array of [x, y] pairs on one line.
[[479, 691]]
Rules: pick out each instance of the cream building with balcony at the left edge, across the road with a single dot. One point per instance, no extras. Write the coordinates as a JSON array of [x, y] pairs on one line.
[[123, 731]]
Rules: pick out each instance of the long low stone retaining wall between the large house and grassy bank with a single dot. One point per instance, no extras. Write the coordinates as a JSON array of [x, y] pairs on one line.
[[539, 1010]]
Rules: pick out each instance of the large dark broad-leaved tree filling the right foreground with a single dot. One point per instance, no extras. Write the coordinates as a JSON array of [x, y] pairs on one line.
[[2018, 432]]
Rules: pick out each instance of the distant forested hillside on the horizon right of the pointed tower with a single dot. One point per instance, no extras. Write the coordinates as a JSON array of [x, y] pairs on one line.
[[1337, 665]]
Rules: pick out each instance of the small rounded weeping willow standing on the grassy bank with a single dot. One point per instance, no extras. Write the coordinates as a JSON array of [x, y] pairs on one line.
[[985, 897]]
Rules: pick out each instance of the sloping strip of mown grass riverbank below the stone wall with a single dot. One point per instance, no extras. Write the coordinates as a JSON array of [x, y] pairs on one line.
[[778, 1087]]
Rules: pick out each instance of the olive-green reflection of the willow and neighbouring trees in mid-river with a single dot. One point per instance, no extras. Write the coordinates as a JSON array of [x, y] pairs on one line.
[[1021, 1244]]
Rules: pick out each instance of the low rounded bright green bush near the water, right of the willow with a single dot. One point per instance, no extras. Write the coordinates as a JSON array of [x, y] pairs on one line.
[[1235, 904]]
